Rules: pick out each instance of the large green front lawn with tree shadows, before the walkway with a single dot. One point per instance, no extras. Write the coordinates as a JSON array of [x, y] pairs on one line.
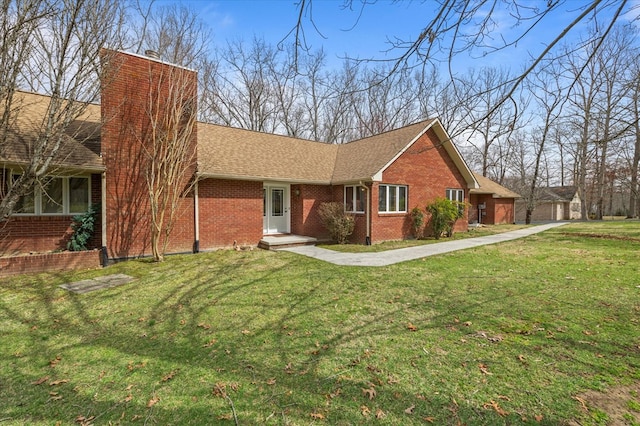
[[510, 333]]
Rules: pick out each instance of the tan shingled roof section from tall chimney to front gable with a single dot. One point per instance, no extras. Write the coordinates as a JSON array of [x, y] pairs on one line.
[[225, 152]]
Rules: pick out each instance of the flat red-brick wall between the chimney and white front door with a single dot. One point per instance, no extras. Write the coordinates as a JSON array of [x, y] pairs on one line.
[[230, 210]]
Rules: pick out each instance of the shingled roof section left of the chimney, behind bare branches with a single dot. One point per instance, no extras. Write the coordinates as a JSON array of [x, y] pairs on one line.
[[80, 143]]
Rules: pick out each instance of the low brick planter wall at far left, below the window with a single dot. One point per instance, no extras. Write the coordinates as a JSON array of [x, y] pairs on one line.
[[36, 263]]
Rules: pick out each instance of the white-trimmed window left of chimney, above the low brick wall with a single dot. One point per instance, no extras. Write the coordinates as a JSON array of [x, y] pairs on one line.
[[58, 195]]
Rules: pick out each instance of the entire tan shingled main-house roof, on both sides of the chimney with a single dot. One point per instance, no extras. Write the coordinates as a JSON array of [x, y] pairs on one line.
[[232, 153]]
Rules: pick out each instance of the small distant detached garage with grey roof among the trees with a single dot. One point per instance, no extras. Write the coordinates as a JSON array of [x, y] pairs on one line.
[[552, 203]]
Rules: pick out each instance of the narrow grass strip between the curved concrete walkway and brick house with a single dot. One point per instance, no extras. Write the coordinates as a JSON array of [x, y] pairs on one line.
[[392, 245]]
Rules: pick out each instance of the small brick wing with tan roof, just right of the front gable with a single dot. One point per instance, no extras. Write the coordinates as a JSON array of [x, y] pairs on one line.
[[491, 203]]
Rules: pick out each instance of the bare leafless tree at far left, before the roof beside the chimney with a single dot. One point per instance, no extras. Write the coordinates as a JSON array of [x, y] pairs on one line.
[[51, 47]]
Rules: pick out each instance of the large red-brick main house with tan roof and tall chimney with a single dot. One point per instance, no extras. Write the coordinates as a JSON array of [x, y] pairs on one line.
[[248, 184]]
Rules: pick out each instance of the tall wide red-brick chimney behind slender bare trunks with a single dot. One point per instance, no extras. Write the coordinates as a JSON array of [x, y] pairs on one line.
[[134, 87]]
